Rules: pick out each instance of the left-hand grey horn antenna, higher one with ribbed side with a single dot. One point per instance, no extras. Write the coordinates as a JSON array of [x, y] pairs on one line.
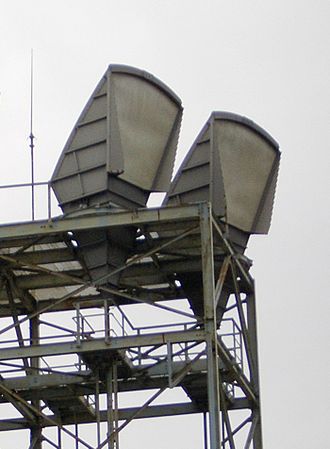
[[123, 144]]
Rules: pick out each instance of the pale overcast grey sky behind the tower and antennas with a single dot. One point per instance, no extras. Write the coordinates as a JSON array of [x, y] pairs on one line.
[[267, 60]]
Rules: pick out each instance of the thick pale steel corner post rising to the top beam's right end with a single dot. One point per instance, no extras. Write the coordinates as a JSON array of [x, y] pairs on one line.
[[210, 326]]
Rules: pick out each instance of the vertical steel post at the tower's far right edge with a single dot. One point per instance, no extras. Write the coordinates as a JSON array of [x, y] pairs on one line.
[[252, 331]]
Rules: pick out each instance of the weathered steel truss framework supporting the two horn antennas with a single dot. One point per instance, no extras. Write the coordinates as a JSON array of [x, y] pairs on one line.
[[42, 277]]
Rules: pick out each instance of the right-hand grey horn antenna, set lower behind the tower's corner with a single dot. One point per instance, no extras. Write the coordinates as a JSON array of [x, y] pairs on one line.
[[234, 164]]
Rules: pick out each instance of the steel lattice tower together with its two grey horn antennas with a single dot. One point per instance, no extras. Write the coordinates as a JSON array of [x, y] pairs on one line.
[[74, 288]]
